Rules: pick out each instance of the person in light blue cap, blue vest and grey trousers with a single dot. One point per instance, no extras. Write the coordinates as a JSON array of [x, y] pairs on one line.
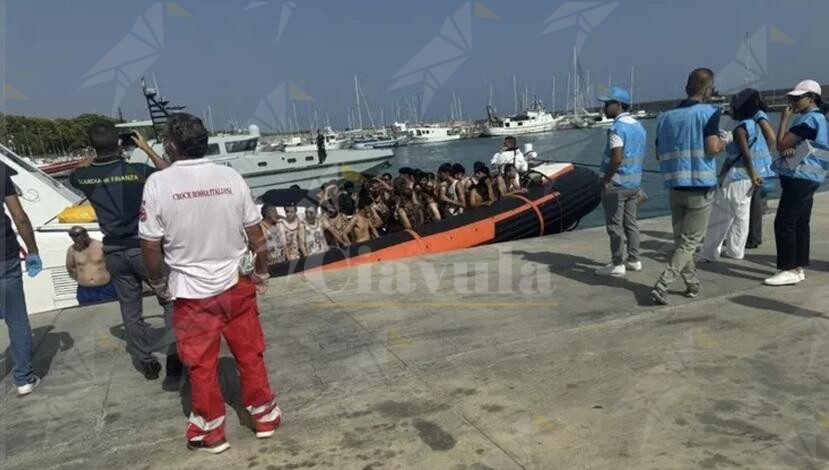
[[621, 171]]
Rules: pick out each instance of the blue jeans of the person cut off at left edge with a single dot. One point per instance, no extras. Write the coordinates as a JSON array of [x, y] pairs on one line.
[[13, 308]]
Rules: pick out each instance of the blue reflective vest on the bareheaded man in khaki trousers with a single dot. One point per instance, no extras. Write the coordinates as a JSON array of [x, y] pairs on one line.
[[681, 147]]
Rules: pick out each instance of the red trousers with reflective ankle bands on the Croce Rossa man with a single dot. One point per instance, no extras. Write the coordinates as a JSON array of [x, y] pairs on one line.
[[200, 325]]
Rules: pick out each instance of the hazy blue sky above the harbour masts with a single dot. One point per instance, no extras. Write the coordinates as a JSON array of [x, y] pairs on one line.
[[253, 61]]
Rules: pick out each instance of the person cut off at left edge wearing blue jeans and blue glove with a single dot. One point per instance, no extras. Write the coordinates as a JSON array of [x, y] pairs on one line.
[[12, 297]]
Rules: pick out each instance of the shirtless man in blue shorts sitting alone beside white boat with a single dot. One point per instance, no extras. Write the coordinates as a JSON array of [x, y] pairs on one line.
[[86, 264]]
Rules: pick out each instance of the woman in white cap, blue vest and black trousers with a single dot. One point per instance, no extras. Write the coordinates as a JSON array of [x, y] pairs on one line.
[[804, 148]]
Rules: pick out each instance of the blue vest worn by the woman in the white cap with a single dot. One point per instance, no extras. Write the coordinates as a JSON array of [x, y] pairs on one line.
[[815, 164]]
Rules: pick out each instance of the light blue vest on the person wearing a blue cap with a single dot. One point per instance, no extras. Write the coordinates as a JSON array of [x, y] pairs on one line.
[[634, 136]]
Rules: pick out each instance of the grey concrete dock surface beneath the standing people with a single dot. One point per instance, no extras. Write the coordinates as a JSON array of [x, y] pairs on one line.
[[512, 356]]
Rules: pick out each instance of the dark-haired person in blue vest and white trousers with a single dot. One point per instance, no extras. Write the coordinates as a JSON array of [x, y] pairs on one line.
[[747, 164]]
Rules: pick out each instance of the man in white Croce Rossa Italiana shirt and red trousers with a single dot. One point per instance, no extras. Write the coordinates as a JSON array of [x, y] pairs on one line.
[[212, 298]]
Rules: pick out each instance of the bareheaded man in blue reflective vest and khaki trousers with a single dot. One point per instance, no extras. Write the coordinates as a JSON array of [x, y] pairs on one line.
[[688, 140]]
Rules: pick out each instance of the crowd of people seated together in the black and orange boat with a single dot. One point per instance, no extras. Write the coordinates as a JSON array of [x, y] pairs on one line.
[[383, 204]]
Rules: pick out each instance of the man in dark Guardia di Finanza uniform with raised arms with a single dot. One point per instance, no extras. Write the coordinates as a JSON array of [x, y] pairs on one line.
[[114, 187]]
